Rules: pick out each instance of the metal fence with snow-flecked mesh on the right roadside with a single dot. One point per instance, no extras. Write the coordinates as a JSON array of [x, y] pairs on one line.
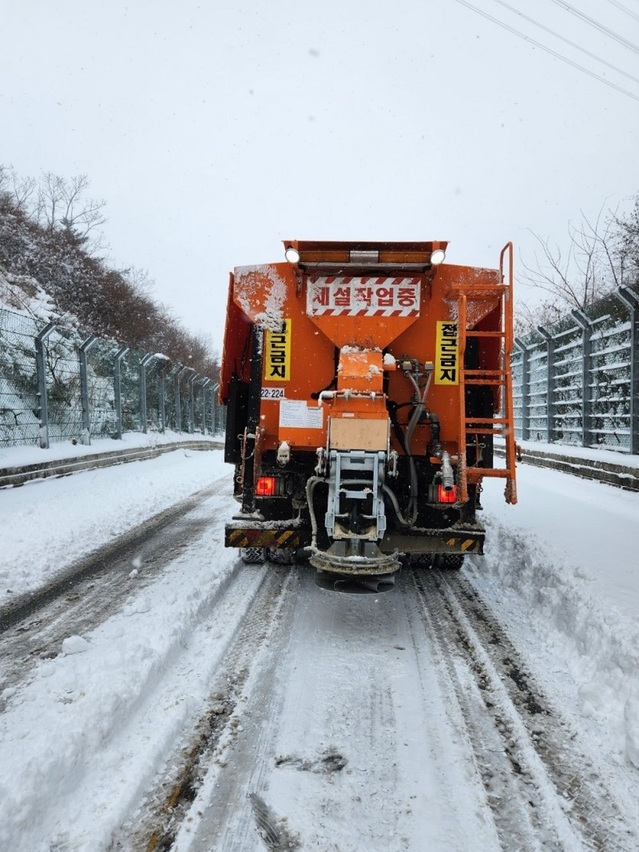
[[577, 382]]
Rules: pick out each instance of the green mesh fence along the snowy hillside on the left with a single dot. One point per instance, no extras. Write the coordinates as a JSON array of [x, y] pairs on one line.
[[57, 384]]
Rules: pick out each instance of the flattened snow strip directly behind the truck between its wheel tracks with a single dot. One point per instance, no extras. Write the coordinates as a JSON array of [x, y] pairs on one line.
[[346, 745]]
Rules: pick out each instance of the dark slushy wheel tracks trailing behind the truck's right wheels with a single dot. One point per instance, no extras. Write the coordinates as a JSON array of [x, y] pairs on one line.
[[542, 792]]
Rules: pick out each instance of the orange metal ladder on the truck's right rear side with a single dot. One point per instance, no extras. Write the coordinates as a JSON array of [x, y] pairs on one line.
[[498, 379]]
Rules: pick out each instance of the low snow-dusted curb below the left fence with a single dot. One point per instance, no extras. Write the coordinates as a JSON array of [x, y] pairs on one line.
[[18, 475]]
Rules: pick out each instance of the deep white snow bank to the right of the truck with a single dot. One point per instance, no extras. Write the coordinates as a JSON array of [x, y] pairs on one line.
[[579, 603]]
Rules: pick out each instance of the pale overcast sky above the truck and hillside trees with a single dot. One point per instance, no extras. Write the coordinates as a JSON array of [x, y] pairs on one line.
[[215, 129]]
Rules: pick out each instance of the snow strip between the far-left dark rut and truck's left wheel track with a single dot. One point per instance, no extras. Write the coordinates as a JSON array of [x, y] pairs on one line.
[[115, 738]]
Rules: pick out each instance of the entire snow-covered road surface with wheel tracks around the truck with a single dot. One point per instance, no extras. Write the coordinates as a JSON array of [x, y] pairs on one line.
[[172, 698]]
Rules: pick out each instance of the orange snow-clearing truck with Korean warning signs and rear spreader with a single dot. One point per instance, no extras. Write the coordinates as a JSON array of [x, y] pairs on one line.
[[366, 384]]
